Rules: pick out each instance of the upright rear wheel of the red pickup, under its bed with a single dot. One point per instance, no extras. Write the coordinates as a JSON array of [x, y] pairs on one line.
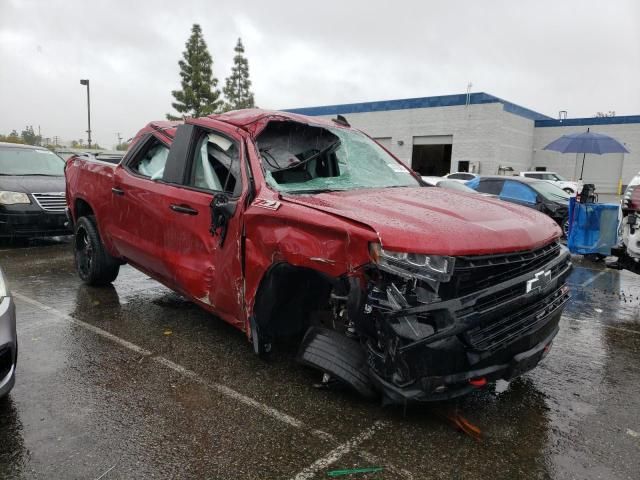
[[94, 264]]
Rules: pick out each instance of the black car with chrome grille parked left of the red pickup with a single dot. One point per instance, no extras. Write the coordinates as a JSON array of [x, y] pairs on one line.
[[32, 192]]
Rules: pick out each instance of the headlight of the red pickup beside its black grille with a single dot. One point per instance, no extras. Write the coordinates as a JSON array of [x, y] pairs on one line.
[[413, 265]]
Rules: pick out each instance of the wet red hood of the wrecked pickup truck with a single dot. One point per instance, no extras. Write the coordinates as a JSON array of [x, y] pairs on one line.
[[438, 221]]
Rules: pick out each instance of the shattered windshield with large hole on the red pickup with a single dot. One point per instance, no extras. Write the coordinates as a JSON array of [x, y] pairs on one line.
[[301, 158]]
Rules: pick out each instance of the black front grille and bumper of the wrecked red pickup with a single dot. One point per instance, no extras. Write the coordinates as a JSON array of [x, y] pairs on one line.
[[495, 333]]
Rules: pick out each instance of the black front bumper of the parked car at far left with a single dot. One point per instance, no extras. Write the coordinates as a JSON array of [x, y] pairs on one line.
[[33, 224]]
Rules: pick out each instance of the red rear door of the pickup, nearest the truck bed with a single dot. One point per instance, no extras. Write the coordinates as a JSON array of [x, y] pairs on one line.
[[136, 220]]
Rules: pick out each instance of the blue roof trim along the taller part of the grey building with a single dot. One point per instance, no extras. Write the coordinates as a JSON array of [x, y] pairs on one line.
[[421, 102]]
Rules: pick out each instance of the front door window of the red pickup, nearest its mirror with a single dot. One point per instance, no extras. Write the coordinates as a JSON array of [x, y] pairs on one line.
[[216, 165]]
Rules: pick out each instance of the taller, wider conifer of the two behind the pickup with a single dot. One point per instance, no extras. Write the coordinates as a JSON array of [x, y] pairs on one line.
[[199, 95]]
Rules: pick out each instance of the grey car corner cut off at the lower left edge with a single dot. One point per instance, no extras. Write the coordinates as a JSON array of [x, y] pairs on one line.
[[8, 339]]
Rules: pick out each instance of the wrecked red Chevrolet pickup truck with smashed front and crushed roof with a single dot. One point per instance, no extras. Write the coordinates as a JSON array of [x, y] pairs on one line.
[[290, 227]]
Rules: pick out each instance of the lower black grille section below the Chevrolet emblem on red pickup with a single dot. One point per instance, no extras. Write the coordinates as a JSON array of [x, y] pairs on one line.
[[495, 334]]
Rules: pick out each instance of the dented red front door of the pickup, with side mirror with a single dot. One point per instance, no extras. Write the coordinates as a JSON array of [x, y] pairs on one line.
[[203, 237]]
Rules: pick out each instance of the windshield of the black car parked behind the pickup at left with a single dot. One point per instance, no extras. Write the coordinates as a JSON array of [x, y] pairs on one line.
[[27, 161]]
